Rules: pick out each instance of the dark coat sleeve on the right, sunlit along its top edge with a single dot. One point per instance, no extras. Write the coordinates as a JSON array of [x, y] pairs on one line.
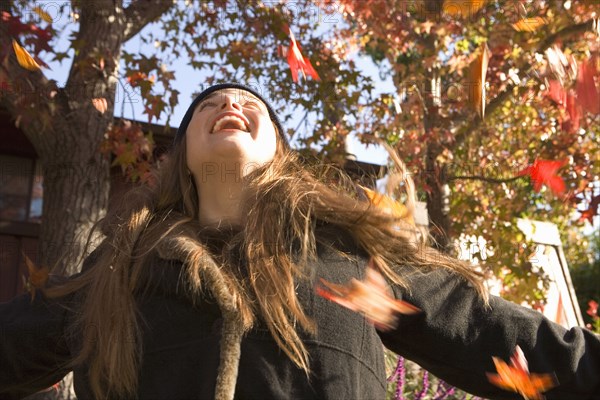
[[456, 336]]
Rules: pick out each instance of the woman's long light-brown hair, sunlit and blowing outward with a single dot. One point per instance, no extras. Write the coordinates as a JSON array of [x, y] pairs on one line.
[[285, 193]]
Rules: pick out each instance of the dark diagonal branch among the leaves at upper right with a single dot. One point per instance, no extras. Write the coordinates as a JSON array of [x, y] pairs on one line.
[[501, 97]]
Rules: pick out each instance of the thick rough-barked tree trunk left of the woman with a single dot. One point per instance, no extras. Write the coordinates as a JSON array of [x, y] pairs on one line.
[[76, 175]]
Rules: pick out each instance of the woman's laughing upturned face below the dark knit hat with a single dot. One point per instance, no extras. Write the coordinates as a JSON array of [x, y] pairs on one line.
[[230, 127]]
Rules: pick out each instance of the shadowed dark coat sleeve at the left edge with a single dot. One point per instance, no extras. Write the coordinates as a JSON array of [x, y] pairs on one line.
[[33, 351]]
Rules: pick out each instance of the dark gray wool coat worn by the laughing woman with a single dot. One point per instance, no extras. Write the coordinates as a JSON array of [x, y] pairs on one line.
[[454, 337]]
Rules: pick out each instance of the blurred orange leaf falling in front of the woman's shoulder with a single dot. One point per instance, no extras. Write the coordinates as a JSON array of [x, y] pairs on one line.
[[371, 297]]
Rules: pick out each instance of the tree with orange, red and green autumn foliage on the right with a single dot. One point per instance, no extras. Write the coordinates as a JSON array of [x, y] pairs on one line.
[[486, 93]]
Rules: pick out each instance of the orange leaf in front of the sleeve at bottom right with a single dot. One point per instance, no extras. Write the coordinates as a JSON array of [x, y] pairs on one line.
[[516, 377]]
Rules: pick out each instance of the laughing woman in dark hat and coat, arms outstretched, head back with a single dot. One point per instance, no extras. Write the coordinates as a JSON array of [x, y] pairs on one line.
[[205, 287]]
